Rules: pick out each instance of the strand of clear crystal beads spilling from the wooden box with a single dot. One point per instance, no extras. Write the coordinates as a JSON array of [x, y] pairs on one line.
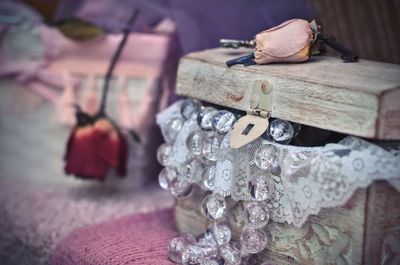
[[215, 246]]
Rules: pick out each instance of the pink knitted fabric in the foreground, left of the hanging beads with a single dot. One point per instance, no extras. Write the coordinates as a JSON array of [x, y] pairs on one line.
[[137, 239]]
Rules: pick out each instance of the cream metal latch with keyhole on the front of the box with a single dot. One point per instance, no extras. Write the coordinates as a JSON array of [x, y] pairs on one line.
[[255, 123]]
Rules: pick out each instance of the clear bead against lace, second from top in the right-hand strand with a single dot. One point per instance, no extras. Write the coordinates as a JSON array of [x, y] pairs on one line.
[[267, 158]]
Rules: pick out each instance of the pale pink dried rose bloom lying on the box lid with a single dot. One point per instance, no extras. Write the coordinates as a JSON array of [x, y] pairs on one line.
[[287, 42]]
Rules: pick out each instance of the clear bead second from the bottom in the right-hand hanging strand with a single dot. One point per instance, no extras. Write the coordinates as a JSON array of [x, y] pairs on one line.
[[256, 215]]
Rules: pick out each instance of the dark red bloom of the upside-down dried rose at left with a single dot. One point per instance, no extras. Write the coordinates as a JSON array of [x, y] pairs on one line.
[[95, 146]]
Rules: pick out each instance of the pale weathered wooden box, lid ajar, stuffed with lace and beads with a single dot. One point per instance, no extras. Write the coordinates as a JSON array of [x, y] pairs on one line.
[[361, 99]]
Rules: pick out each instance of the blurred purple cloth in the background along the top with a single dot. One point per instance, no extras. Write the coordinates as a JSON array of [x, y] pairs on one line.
[[200, 24]]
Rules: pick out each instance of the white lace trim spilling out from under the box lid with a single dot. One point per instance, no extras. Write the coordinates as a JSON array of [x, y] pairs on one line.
[[311, 178]]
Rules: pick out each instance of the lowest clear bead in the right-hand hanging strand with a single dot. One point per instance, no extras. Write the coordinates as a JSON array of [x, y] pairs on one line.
[[253, 240]]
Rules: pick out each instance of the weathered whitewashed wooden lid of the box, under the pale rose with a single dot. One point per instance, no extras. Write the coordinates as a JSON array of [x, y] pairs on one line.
[[361, 99]]
